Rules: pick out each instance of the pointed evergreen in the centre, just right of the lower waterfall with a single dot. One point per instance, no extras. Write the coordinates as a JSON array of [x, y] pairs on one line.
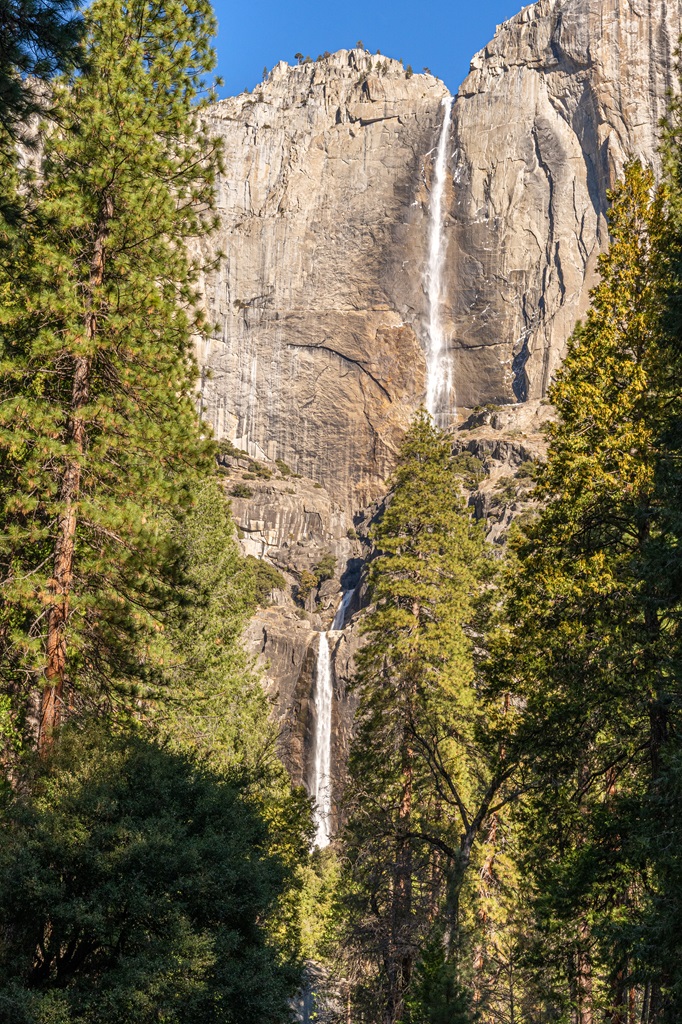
[[425, 774]]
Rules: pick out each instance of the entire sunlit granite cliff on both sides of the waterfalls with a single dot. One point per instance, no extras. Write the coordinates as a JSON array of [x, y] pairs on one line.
[[322, 306]]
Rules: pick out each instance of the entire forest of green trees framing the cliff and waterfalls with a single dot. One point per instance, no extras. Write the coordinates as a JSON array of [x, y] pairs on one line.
[[511, 838]]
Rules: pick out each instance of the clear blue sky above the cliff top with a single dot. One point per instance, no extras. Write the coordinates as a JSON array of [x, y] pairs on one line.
[[440, 34]]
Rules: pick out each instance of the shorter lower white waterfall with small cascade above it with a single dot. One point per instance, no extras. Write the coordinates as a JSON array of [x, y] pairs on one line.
[[321, 782]]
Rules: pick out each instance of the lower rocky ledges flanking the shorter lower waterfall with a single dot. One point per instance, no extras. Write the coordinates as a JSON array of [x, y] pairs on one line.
[[291, 522]]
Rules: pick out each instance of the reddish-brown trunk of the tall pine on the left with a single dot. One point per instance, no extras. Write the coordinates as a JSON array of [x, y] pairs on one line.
[[65, 545]]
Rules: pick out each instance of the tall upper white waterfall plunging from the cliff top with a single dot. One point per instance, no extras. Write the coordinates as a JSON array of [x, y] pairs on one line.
[[439, 363]]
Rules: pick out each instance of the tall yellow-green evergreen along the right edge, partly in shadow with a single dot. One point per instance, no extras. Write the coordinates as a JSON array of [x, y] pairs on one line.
[[590, 650]]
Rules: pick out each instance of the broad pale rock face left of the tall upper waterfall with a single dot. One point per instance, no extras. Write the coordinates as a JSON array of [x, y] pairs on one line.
[[317, 360]]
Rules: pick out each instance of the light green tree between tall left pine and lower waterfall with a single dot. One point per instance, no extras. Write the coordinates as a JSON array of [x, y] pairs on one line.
[[211, 700]]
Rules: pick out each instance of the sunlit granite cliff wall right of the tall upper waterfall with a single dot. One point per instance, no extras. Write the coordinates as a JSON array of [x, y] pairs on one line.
[[566, 93]]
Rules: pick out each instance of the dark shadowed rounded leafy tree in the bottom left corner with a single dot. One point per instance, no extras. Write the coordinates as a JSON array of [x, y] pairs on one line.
[[137, 885]]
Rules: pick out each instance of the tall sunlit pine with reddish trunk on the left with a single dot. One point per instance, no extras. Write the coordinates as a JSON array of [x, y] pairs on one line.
[[99, 438]]
